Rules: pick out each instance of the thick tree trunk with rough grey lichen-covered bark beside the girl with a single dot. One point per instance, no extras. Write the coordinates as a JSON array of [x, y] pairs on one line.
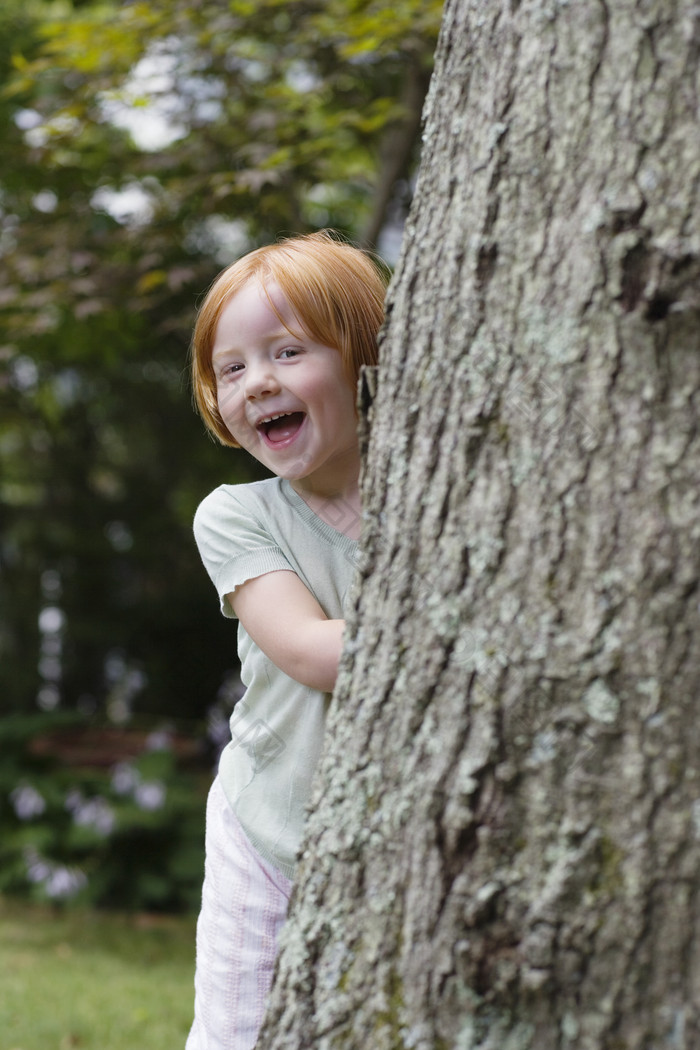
[[505, 844]]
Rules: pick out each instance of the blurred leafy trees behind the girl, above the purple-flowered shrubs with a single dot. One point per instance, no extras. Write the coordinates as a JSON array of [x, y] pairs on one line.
[[264, 118]]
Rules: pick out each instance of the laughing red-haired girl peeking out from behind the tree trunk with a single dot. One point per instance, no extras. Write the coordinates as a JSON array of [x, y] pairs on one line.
[[277, 355]]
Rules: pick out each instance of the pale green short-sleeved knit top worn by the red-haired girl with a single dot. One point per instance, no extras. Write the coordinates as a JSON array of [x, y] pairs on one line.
[[278, 727]]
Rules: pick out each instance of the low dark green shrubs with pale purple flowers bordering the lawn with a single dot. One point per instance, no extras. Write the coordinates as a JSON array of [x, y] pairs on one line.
[[129, 835]]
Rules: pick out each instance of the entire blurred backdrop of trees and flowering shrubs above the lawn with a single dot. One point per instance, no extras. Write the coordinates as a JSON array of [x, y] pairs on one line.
[[144, 148]]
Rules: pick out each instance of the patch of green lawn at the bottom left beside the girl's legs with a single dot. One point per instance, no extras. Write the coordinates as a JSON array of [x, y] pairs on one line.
[[88, 981]]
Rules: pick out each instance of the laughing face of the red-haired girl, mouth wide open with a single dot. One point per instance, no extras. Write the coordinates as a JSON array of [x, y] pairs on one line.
[[285, 397]]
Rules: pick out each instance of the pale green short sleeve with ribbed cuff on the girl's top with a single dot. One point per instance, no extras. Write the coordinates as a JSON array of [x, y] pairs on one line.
[[235, 545]]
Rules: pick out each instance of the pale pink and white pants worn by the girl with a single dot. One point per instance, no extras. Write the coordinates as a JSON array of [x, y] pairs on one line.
[[244, 907]]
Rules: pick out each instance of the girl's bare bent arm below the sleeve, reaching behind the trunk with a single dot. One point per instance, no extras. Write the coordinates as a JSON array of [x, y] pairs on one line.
[[287, 623]]
